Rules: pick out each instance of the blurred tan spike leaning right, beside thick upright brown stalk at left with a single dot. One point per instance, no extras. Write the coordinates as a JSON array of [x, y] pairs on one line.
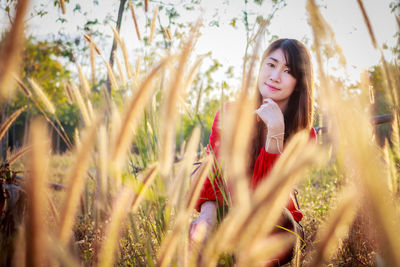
[[76, 182]]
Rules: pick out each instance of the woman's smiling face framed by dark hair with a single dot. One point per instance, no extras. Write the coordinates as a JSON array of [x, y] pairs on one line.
[[275, 80]]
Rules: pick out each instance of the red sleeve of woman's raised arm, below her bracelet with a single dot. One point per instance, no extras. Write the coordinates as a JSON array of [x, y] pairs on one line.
[[263, 166]]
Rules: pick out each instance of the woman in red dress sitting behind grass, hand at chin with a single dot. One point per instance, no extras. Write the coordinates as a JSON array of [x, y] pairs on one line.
[[285, 107]]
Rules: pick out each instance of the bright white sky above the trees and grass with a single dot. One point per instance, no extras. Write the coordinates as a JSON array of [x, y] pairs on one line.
[[227, 43]]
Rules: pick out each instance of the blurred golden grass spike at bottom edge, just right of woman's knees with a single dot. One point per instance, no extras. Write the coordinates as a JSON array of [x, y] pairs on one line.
[[336, 227]]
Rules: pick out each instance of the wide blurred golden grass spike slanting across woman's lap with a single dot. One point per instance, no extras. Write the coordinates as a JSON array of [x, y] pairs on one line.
[[246, 225]]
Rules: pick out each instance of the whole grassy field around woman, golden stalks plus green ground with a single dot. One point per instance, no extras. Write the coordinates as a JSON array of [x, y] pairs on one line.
[[124, 194]]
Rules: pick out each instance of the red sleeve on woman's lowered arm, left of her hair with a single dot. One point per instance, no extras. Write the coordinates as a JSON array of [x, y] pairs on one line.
[[212, 185]]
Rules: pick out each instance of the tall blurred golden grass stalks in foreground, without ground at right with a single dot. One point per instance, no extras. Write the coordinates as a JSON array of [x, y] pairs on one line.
[[134, 206]]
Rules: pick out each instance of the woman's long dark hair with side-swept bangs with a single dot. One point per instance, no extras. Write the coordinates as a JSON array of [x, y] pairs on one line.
[[299, 112]]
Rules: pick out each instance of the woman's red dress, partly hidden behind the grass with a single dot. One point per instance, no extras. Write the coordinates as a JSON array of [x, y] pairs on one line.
[[264, 163]]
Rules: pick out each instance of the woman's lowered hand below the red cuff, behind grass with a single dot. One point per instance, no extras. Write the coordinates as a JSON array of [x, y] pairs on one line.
[[207, 220]]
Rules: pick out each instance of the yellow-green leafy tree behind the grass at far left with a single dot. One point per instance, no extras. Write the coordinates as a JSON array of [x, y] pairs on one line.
[[44, 62]]
